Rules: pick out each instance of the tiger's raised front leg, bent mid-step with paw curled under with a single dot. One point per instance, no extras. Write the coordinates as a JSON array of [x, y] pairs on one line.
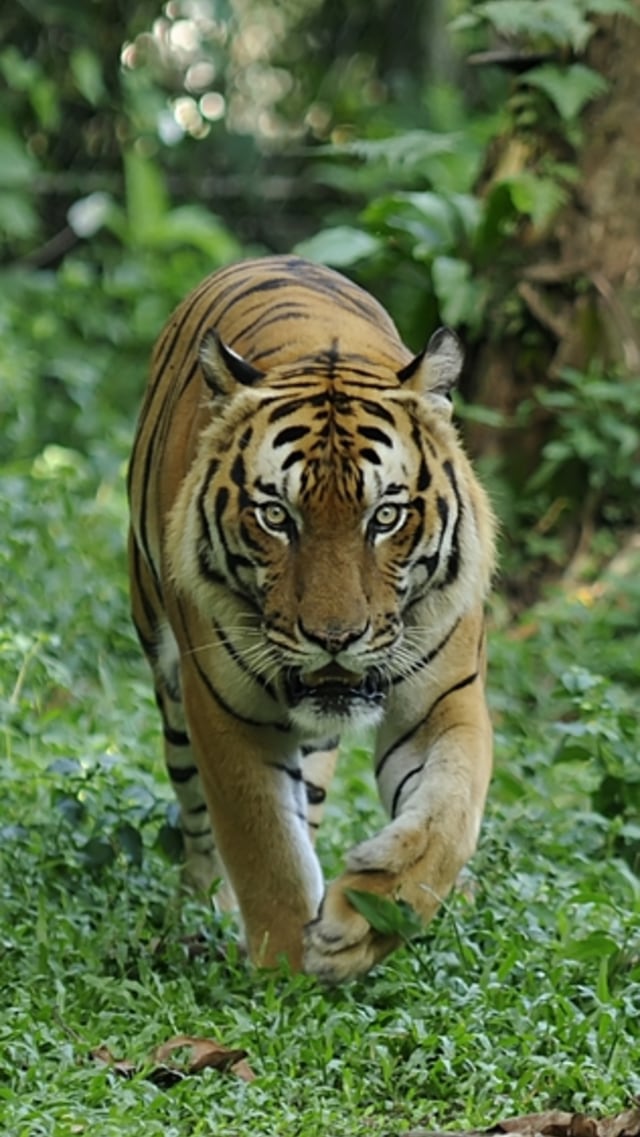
[[444, 774]]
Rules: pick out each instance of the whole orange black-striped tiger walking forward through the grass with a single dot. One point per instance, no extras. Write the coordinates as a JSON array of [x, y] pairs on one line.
[[311, 555]]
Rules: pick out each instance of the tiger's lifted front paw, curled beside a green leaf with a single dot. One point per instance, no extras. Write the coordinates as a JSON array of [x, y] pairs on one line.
[[340, 944]]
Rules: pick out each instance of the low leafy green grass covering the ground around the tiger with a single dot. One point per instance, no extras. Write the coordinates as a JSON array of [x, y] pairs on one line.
[[525, 994]]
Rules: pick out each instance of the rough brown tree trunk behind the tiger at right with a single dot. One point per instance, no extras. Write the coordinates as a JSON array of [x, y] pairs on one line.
[[580, 284]]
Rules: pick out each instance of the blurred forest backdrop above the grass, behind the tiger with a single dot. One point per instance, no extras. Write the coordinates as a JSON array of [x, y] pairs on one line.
[[476, 164]]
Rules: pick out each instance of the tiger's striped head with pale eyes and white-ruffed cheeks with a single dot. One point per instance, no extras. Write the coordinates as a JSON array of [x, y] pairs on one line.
[[337, 514]]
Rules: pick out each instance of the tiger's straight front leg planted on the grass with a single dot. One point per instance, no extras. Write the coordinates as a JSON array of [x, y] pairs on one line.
[[259, 809]]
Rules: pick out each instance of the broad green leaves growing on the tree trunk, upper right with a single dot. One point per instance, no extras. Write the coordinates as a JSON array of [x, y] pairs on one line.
[[458, 228]]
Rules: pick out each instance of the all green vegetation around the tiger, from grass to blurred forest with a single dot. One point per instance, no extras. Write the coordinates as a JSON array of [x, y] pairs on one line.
[[137, 154]]
